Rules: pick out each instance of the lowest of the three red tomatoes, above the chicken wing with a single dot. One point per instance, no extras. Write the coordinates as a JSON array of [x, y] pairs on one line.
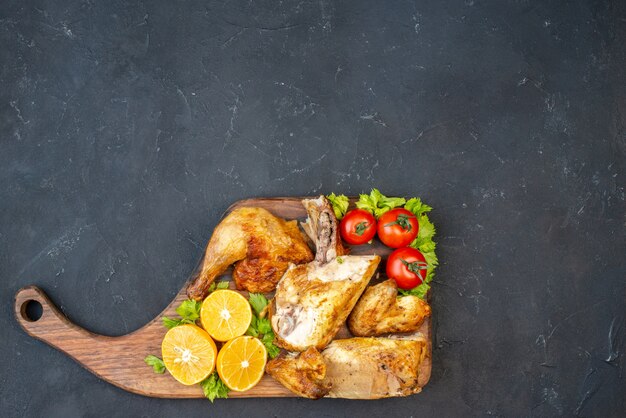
[[407, 266]]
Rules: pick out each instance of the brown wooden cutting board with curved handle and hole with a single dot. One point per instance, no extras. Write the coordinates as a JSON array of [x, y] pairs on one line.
[[119, 360]]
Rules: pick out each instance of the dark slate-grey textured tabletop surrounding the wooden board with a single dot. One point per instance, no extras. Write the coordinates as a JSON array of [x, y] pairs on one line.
[[126, 129]]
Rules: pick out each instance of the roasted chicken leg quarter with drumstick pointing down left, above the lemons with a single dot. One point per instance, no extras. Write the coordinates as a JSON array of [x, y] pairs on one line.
[[261, 245]]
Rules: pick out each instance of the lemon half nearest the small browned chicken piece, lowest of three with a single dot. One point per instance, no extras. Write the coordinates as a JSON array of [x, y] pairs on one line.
[[241, 363]]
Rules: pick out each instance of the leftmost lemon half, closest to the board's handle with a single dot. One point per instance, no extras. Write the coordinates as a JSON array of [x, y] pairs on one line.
[[189, 353]]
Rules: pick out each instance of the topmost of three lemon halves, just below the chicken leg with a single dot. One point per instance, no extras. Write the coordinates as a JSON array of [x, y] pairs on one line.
[[225, 314]]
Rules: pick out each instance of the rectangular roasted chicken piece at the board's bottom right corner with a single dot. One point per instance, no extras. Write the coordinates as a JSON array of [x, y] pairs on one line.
[[372, 368]]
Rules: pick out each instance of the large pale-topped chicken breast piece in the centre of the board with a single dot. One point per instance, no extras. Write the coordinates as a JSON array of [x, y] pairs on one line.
[[312, 301]]
